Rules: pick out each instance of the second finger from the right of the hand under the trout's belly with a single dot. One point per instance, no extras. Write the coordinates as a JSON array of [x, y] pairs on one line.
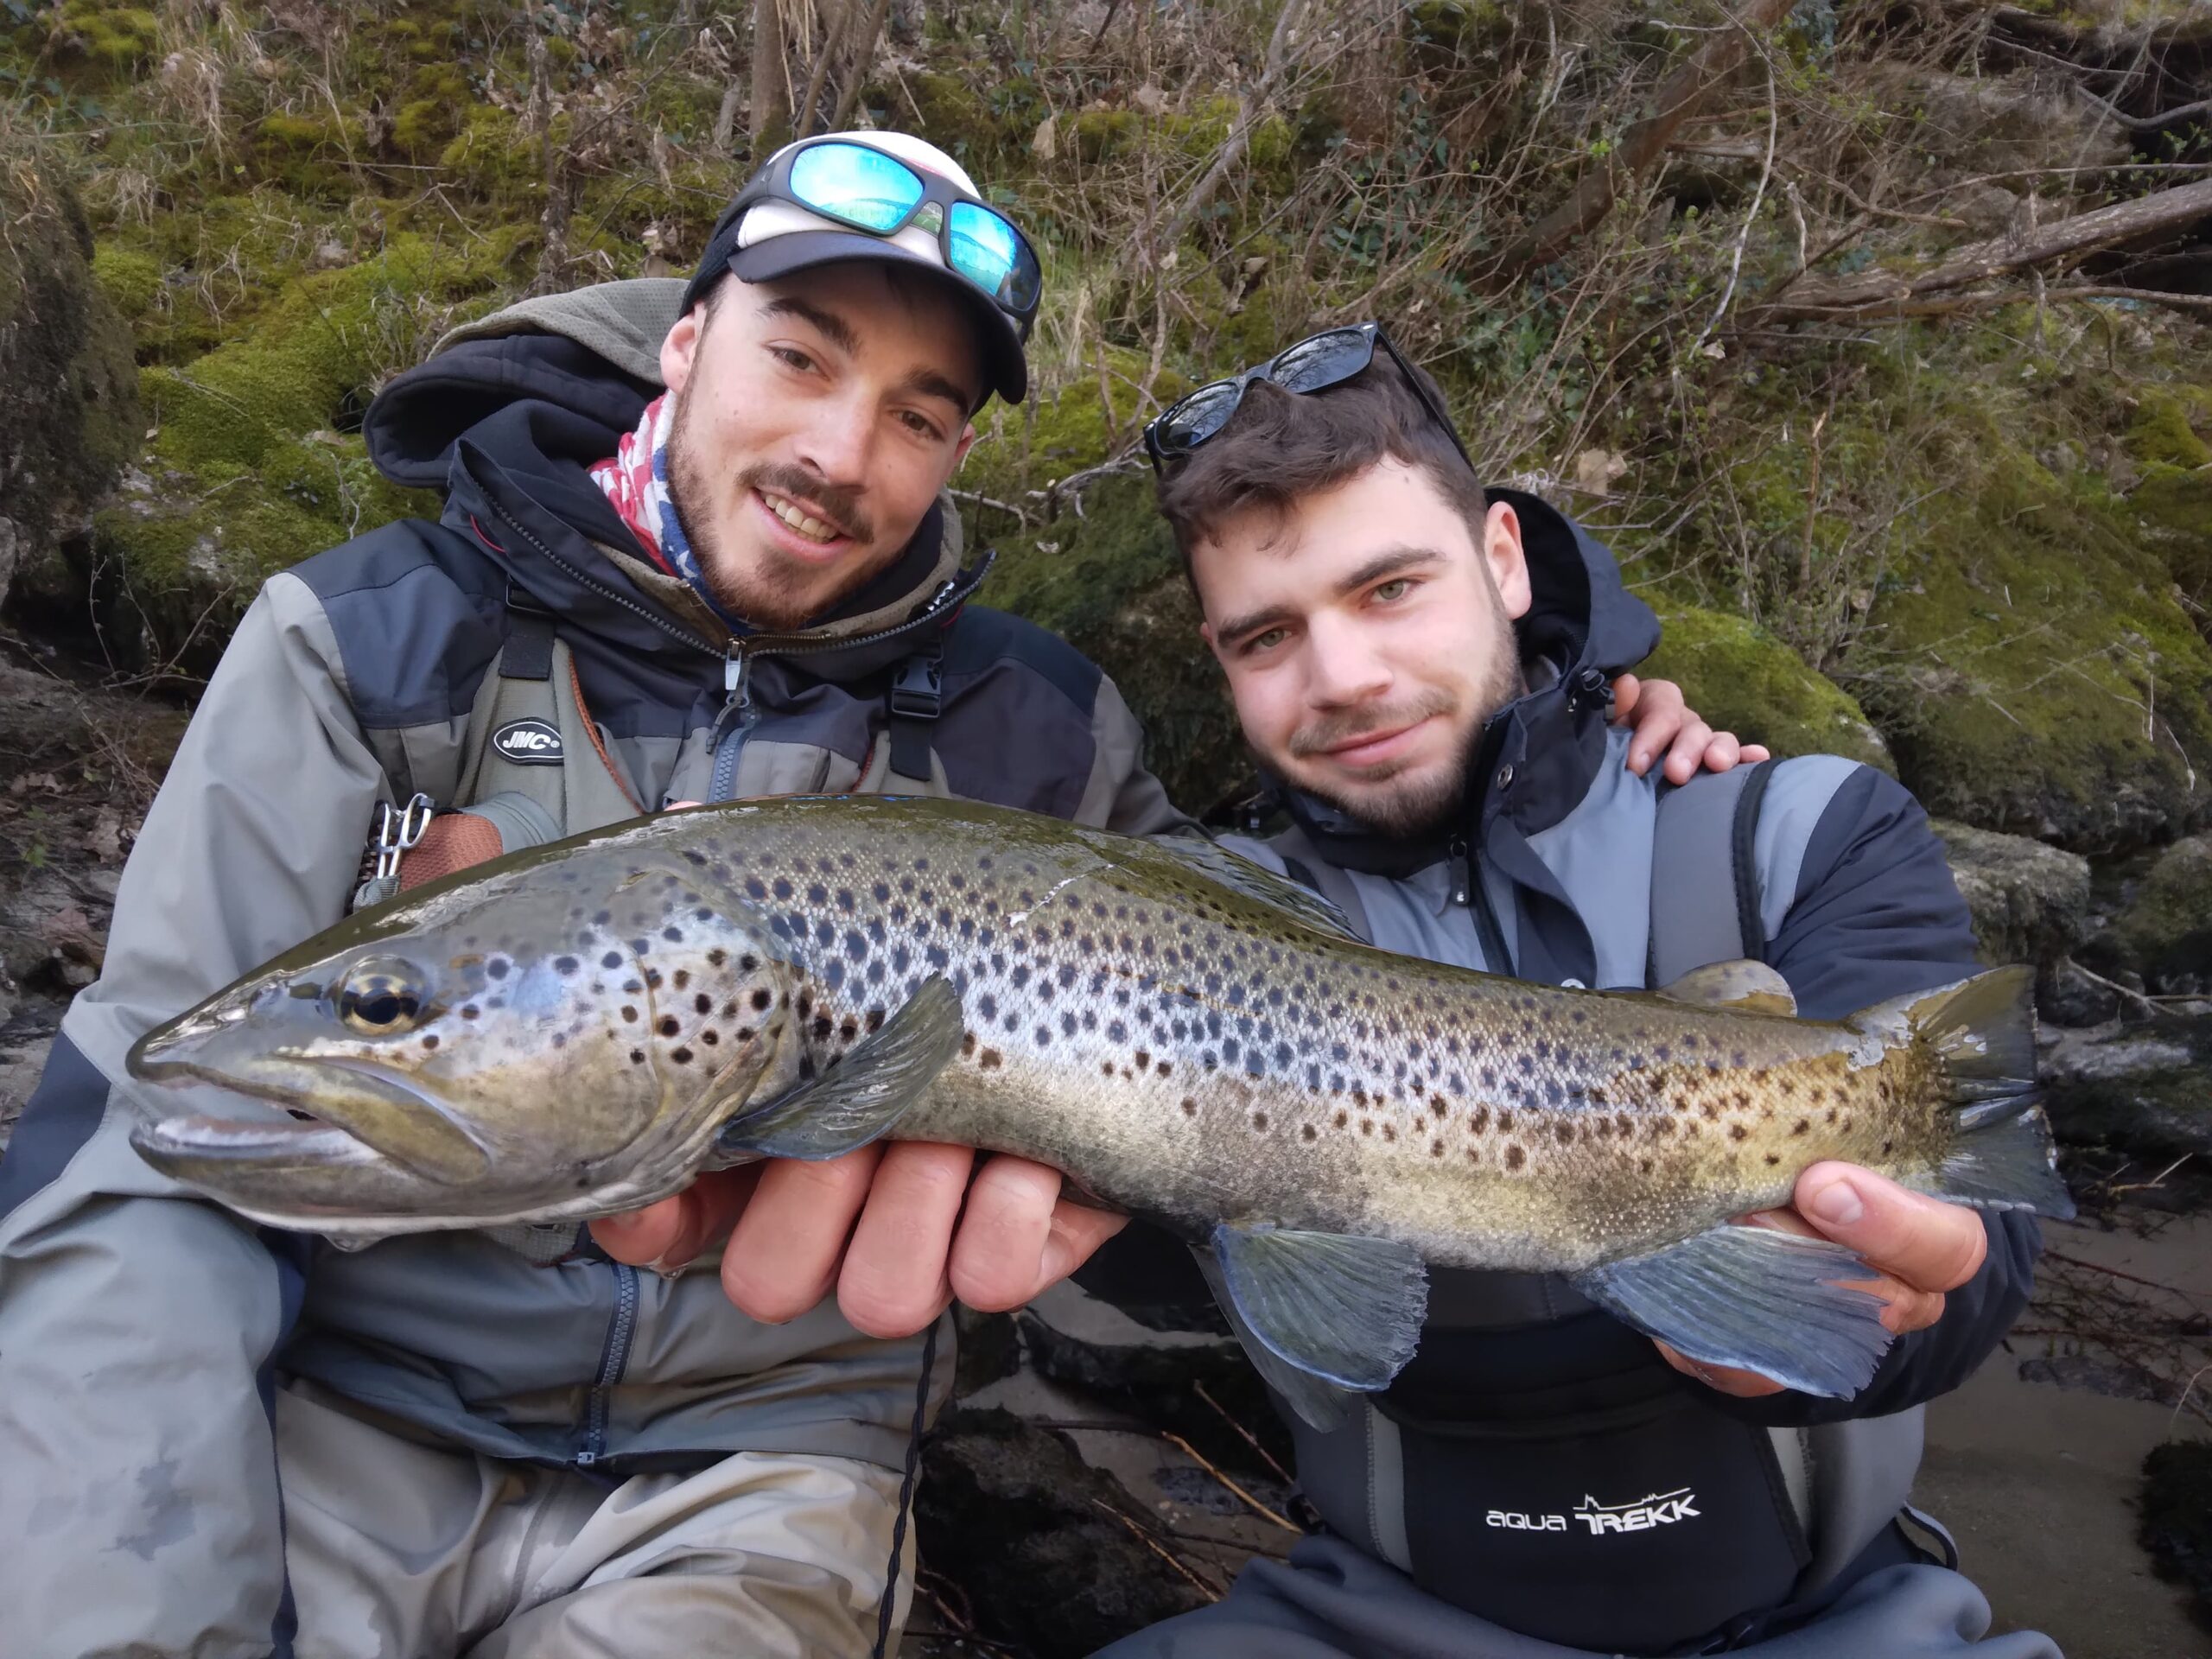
[[893, 1282]]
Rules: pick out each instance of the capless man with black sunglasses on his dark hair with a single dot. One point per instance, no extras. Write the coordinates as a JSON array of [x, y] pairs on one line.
[[1421, 669]]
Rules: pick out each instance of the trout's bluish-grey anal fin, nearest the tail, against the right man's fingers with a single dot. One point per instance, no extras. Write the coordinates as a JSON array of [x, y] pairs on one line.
[[1755, 1300]]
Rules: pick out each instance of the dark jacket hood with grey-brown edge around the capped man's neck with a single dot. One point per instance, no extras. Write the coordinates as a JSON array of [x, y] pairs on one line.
[[510, 415]]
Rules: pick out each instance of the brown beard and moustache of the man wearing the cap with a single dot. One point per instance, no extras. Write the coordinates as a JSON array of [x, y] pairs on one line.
[[778, 594]]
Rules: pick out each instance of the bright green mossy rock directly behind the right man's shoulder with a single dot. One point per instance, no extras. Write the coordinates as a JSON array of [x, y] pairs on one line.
[[1746, 680]]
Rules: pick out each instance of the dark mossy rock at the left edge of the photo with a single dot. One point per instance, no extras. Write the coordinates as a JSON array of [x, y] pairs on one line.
[[67, 386]]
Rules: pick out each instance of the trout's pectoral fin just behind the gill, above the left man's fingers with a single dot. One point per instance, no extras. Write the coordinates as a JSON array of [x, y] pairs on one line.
[[864, 1094]]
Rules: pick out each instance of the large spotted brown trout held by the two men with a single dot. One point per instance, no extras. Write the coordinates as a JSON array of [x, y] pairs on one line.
[[583, 1027]]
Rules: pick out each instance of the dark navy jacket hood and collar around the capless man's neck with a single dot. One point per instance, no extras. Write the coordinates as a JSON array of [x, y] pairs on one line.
[[1536, 758]]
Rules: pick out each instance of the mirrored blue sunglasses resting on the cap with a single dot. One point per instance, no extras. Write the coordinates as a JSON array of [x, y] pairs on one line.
[[877, 194]]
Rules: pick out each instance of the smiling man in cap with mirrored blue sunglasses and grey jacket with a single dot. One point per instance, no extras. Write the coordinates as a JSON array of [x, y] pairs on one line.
[[693, 547]]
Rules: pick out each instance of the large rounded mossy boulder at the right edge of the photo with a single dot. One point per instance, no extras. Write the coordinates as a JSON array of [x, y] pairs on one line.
[[2041, 676]]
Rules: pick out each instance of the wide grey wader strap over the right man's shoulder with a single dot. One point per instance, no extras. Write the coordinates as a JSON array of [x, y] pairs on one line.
[[1707, 875]]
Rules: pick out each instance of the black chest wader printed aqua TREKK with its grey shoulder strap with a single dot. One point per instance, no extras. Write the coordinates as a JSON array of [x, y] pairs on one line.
[[1538, 1463]]
